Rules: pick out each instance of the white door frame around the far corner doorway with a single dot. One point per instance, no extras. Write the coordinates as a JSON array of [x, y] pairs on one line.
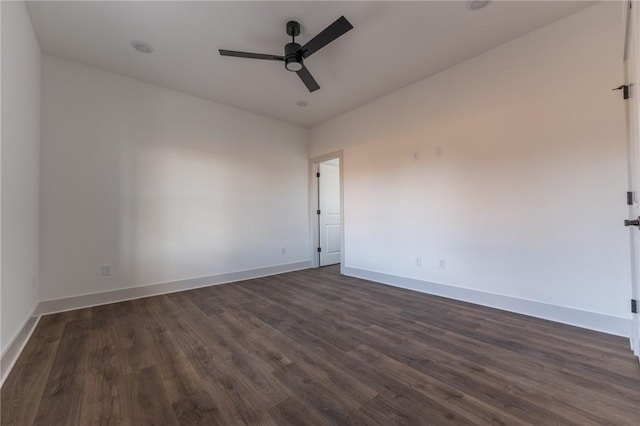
[[314, 233]]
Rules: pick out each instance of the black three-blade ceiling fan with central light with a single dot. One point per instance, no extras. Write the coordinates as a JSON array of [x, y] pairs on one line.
[[294, 54]]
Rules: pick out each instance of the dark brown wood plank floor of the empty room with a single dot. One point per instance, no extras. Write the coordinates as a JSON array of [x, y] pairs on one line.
[[315, 348]]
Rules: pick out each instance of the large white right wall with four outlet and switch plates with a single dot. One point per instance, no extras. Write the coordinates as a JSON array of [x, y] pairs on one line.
[[527, 199]]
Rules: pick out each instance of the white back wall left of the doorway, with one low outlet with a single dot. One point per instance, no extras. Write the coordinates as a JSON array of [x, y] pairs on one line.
[[161, 185]]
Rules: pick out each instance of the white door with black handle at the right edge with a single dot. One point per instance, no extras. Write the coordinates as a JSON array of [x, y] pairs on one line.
[[632, 66]]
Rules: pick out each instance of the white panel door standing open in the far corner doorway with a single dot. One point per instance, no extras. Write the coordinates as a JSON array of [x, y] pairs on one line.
[[330, 223]]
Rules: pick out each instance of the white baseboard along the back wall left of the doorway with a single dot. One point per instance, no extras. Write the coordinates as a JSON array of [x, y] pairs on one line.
[[103, 298]]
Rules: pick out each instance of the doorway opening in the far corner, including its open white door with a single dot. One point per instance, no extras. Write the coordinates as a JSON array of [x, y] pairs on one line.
[[327, 210]]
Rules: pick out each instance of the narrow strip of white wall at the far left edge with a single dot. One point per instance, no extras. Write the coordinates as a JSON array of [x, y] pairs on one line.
[[19, 169]]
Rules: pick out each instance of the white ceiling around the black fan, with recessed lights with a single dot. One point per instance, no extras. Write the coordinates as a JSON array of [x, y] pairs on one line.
[[393, 44]]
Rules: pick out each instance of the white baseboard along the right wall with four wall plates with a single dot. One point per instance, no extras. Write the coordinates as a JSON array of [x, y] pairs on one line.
[[590, 320]]
